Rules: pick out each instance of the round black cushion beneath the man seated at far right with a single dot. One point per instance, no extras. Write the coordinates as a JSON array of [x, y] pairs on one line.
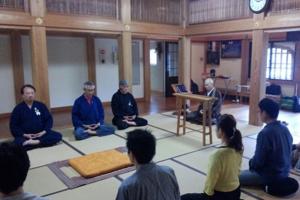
[[282, 187]]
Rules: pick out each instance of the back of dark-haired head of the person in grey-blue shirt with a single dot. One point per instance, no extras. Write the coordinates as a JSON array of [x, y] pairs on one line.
[[141, 143]]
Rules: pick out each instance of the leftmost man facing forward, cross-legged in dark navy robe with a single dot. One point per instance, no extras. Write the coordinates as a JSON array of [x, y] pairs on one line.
[[31, 122]]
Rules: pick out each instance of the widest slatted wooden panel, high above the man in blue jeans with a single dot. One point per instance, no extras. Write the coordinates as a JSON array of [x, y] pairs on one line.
[[103, 8]]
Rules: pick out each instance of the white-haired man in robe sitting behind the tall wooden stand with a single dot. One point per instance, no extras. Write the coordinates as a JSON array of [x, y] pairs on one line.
[[211, 91]]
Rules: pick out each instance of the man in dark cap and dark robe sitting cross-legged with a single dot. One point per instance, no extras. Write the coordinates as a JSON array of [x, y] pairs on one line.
[[125, 109]]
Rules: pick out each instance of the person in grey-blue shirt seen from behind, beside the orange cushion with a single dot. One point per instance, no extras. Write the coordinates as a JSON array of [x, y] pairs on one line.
[[150, 181]]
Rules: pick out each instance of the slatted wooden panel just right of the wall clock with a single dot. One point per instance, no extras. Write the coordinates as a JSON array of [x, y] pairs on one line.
[[284, 7]]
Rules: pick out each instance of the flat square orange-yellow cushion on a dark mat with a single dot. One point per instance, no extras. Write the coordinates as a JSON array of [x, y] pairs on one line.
[[99, 163]]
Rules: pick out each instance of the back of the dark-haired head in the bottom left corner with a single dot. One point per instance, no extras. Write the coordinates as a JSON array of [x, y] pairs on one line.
[[14, 166]]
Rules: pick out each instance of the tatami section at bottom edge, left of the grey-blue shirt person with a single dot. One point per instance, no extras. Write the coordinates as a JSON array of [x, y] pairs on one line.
[[102, 190]]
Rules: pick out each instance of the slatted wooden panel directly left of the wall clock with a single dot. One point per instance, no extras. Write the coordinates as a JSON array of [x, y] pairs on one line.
[[201, 11]]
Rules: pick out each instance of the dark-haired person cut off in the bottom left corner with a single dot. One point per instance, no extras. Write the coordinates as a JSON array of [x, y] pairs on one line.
[[14, 166]]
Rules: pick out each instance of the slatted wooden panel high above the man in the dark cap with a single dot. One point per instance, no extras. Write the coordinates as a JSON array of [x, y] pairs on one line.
[[157, 11]]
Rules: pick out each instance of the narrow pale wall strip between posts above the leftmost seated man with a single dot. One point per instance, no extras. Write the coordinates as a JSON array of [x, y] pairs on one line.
[[26, 52]]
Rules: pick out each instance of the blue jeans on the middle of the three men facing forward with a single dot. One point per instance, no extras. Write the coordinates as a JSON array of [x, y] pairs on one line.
[[102, 130]]
